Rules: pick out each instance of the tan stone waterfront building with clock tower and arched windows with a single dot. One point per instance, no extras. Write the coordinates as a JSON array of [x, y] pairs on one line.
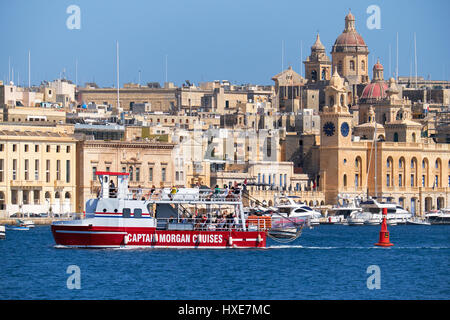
[[402, 166]]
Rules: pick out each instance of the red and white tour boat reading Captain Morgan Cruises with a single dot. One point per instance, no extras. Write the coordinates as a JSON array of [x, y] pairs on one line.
[[163, 219]]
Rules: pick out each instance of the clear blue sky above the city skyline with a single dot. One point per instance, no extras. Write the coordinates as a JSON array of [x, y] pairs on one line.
[[205, 40]]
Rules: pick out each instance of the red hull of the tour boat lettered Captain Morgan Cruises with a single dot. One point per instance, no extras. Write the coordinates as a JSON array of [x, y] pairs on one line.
[[150, 237]]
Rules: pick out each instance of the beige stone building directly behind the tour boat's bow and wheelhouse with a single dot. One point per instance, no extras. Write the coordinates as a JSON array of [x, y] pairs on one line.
[[148, 163]]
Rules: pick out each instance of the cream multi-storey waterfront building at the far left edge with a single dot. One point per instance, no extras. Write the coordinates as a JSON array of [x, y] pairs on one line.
[[37, 170]]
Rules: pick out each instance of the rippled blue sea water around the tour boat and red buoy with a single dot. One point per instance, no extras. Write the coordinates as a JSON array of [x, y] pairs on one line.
[[326, 262]]
